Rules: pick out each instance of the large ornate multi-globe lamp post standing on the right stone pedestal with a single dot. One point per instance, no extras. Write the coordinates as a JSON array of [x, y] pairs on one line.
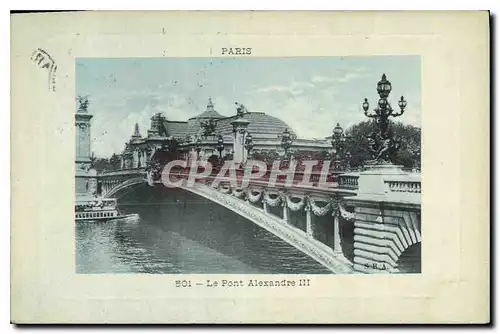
[[383, 144]]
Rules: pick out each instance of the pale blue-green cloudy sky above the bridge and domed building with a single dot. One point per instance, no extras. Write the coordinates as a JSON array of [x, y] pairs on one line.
[[310, 94]]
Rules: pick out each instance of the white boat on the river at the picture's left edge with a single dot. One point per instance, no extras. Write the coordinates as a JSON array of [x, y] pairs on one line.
[[99, 210]]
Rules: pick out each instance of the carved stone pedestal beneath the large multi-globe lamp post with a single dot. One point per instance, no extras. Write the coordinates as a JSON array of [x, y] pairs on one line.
[[387, 217]]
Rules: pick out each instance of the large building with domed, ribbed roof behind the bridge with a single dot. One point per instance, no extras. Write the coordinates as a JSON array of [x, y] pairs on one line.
[[211, 133]]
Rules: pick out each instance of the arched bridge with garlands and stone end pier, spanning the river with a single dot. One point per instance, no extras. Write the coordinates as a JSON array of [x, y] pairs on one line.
[[382, 203]]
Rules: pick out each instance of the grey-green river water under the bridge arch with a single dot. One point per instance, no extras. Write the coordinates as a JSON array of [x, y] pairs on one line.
[[181, 233]]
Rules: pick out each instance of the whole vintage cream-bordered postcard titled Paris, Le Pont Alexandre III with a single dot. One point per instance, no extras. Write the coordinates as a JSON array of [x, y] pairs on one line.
[[250, 167]]
